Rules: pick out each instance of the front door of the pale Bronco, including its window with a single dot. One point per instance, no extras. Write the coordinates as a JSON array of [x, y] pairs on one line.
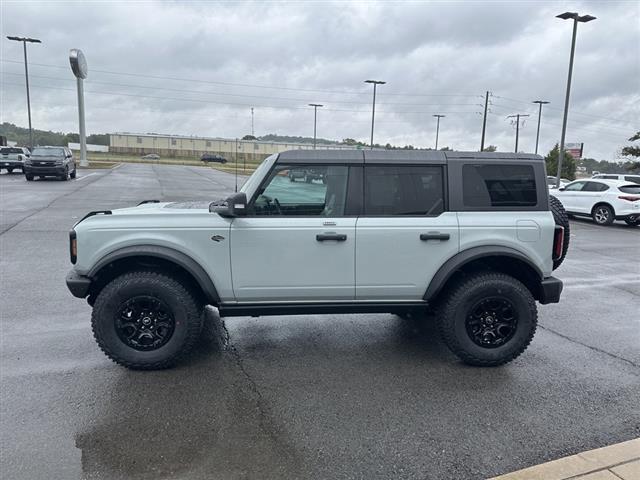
[[295, 244]]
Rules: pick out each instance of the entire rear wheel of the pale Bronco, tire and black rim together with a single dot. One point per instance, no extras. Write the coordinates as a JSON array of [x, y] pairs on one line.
[[488, 319]]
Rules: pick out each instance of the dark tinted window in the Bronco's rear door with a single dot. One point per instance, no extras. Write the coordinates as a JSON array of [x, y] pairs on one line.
[[403, 190]]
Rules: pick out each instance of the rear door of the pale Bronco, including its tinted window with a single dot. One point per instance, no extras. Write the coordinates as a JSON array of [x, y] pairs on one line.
[[404, 233]]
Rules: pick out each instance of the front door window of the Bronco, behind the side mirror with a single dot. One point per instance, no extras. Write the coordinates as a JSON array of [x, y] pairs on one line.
[[303, 190]]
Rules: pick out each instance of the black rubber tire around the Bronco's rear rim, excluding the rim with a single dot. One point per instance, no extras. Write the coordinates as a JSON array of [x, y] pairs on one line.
[[454, 308]]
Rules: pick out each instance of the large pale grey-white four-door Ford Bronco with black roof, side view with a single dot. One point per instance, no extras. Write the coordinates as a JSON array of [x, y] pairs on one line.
[[473, 237]]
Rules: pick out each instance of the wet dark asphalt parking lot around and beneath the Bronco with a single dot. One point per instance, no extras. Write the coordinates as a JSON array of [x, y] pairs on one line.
[[333, 396]]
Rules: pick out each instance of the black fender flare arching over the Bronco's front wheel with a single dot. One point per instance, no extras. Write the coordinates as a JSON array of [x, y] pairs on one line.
[[166, 253]]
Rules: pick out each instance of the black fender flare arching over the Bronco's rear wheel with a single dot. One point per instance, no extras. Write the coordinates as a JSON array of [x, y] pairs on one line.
[[449, 267]]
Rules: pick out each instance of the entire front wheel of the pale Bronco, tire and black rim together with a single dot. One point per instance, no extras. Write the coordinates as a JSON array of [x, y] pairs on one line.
[[146, 320]]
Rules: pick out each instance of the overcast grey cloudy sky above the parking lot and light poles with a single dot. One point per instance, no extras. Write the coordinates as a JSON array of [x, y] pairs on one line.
[[196, 68]]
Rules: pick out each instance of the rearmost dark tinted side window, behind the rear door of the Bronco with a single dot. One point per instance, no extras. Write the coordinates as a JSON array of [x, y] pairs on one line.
[[499, 186]]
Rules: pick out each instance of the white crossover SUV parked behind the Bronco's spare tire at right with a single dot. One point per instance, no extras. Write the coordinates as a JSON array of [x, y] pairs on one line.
[[602, 200]]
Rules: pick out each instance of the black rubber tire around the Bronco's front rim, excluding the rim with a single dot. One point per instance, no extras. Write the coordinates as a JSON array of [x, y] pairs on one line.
[[186, 311]]
